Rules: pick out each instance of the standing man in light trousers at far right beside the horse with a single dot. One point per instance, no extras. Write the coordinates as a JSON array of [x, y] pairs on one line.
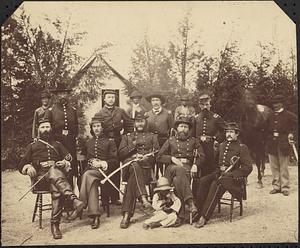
[[282, 125]]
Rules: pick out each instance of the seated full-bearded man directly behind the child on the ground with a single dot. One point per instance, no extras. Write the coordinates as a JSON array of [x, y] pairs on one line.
[[183, 155]]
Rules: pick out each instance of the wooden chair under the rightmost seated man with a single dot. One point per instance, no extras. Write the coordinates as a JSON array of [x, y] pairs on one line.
[[230, 201]]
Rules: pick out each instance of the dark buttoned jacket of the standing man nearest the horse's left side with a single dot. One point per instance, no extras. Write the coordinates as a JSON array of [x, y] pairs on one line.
[[212, 125]]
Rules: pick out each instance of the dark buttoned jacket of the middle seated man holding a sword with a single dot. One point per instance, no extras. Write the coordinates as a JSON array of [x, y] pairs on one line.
[[138, 142]]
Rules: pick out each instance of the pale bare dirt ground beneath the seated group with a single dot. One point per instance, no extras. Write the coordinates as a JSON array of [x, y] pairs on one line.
[[267, 218]]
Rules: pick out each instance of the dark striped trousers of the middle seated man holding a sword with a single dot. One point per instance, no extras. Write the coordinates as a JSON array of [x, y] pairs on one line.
[[135, 187]]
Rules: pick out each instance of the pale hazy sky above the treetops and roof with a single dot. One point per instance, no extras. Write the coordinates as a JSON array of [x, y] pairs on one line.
[[215, 23]]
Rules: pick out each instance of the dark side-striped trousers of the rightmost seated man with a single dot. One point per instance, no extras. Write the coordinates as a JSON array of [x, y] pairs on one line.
[[216, 190]]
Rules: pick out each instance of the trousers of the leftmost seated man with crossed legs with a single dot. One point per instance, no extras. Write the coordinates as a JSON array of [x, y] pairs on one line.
[[60, 190]]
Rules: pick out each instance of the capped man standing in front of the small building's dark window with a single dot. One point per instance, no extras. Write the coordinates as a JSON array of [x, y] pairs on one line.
[[113, 120]]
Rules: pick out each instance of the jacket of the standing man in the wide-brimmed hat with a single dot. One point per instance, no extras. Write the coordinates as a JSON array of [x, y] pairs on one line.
[[161, 123]]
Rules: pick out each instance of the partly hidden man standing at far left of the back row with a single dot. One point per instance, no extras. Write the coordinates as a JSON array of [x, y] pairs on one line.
[[40, 112]]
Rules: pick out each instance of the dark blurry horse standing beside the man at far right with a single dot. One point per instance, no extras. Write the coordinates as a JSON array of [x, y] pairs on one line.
[[253, 125]]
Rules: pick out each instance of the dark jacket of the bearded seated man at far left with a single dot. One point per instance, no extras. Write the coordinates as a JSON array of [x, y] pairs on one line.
[[37, 152]]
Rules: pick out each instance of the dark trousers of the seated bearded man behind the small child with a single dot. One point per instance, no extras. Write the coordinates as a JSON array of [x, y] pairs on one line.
[[180, 177]]
